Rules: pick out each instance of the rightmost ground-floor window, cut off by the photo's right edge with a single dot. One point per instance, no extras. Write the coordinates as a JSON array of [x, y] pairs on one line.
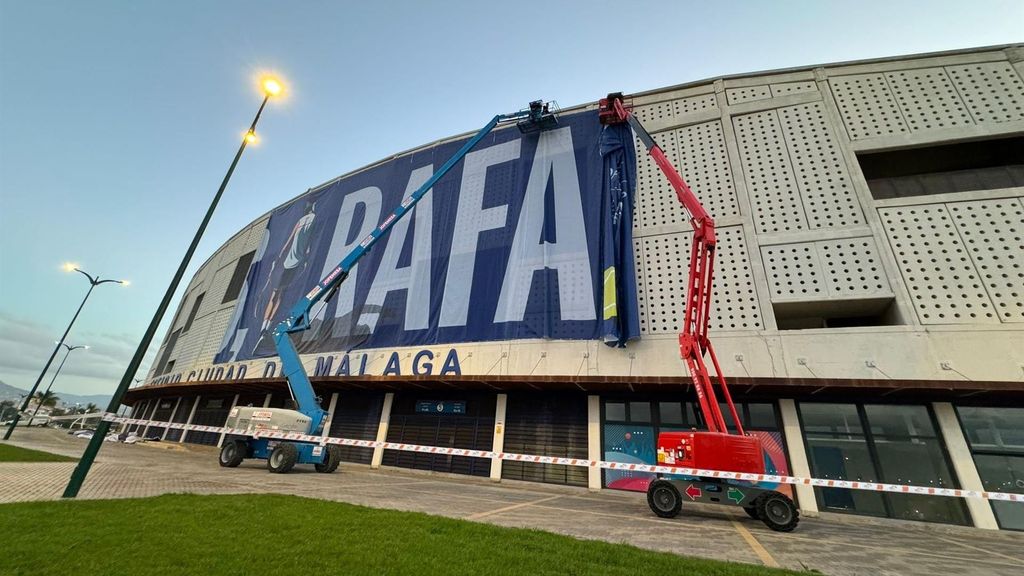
[[997, 440]]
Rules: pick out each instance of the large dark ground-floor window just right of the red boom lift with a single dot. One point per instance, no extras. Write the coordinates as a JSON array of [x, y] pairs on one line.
[[880, 443]]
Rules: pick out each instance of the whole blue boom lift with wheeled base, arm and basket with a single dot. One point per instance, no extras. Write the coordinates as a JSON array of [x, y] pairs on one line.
[[311, 418]]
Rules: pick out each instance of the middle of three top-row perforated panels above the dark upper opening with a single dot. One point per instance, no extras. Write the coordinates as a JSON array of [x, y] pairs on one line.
[[928, 99]]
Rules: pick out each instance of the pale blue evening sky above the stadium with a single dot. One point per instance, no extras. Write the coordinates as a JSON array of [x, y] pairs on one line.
[[118, 119]]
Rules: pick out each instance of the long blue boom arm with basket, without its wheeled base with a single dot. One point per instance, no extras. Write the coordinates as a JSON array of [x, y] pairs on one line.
[[536, 118]]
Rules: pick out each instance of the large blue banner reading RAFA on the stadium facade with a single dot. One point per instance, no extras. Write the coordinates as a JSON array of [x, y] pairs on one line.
[[530, 237]]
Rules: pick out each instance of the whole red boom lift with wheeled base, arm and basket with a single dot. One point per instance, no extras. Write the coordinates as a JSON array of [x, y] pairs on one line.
[[715, 449]]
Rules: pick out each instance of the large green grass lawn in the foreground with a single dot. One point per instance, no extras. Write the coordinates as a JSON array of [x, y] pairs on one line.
[[277, 534]]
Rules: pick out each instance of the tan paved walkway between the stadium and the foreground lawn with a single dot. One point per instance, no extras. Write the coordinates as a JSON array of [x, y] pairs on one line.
[[833, 545]]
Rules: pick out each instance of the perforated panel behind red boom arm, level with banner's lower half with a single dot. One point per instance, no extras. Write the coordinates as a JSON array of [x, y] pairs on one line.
[[667, 270]]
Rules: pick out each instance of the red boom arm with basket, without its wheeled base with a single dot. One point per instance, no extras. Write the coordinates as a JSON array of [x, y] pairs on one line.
[[694, 342]]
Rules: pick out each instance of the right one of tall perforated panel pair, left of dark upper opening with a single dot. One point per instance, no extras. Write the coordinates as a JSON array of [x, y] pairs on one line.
[[825, 183]]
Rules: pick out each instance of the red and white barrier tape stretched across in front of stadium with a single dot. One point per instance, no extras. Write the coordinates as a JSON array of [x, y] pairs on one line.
[[321, 440]]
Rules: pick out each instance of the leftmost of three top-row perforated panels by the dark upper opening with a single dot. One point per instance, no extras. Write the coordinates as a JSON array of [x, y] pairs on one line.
[[868, 106]]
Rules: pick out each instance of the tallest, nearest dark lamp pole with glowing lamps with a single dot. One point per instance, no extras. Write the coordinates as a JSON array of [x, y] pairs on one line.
[[272, 88]]
